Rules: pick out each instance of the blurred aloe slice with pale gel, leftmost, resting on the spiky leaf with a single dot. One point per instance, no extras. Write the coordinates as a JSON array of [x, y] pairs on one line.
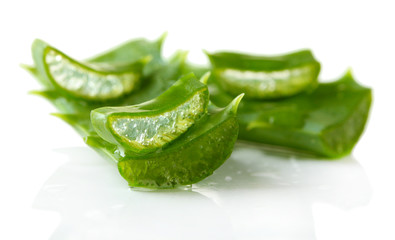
[[88, 81]]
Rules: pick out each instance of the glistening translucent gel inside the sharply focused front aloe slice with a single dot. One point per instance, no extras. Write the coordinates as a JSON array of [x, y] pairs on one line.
[[156, 131]]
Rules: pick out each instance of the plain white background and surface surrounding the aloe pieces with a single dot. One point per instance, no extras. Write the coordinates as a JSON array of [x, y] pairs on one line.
[[53, 186]]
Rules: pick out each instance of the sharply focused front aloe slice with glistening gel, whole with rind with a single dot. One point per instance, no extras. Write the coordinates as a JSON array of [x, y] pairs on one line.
[[151, 125]]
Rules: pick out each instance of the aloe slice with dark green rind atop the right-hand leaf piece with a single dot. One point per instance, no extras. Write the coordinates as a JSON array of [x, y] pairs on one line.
[[263, 77]]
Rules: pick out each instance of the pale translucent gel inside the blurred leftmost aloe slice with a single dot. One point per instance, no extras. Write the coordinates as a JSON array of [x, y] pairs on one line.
[[86, 83]]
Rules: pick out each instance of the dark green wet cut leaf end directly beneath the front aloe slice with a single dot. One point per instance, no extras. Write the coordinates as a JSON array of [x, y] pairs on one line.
[[190, 158]]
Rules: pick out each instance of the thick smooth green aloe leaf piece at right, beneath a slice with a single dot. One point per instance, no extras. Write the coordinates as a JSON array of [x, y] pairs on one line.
[[326, 122]]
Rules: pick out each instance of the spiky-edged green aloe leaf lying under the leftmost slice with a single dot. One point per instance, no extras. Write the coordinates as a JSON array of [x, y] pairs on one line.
[[76, 112]]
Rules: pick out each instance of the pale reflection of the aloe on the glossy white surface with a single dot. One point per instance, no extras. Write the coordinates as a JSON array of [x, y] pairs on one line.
[[255, 194]]
